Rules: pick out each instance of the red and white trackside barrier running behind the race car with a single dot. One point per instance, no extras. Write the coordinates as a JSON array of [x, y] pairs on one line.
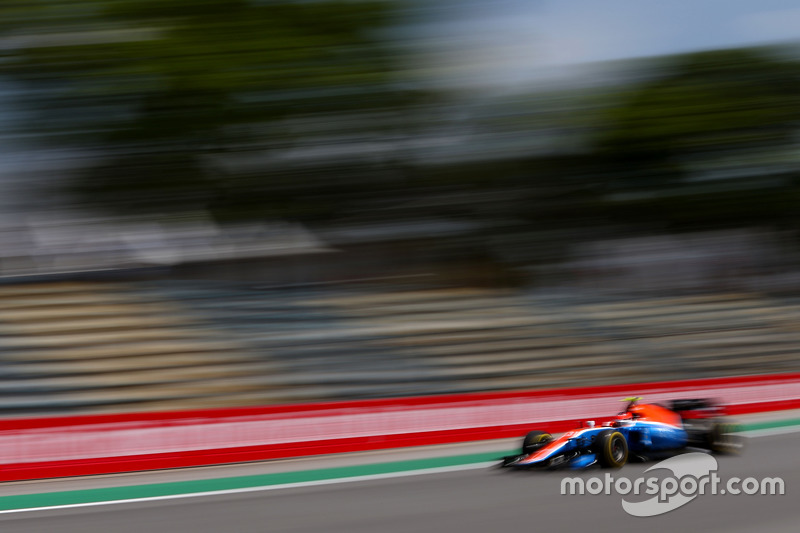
[[41, 448]]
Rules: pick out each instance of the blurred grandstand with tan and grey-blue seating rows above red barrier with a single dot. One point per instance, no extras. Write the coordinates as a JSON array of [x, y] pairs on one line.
[[127, 346]]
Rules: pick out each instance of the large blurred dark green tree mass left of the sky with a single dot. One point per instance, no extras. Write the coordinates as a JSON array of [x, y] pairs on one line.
[[188, 104]]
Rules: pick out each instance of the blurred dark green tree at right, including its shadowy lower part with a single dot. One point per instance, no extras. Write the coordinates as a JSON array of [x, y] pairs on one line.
[[712, 141]]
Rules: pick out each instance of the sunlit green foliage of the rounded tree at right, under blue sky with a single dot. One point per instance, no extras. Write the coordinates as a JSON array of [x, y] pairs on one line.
[[710, 120]]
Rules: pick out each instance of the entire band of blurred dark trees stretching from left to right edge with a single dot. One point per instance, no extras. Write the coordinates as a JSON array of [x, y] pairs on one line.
[[258, 108]]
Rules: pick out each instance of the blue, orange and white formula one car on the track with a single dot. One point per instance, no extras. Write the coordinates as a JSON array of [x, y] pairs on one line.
[[640, 432]]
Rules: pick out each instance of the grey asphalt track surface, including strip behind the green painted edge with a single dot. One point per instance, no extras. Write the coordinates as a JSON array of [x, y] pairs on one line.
[[481, 499]]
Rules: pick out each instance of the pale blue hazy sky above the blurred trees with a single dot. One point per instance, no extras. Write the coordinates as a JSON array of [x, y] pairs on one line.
[[522, 41]]
